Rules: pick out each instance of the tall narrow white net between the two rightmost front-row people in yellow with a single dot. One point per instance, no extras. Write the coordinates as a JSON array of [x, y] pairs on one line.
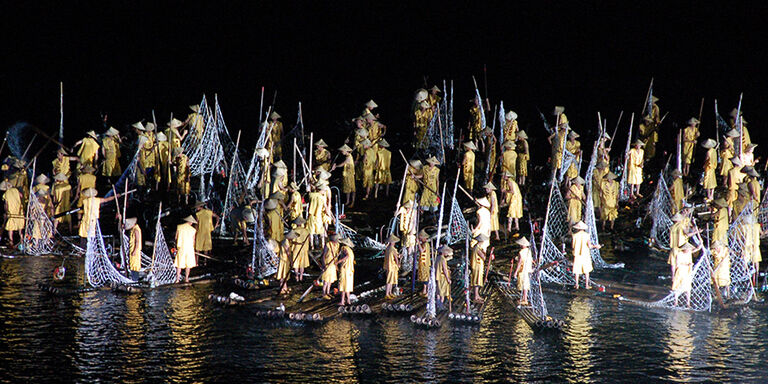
[[739, 245]]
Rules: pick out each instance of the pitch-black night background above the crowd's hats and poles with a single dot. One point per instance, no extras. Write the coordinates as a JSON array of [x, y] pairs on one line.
[[127, 58]]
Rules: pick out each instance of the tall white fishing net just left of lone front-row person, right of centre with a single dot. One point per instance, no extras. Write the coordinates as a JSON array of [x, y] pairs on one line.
[[556, 229]]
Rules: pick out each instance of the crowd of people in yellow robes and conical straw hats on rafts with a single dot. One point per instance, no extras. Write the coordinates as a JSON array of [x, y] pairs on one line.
[[297, 218]]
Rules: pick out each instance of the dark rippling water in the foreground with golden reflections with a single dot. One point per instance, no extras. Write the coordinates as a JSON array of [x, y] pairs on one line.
[[176, 335]]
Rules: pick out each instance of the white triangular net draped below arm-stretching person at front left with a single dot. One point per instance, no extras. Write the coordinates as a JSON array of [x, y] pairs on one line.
[[98, 268]]
